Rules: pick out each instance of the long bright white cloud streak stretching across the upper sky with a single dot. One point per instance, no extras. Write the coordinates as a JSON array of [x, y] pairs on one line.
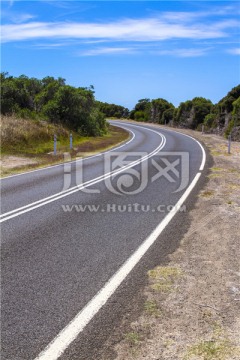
[[151, 29]]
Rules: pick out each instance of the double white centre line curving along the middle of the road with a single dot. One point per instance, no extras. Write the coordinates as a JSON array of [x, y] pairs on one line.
[[29, 207]]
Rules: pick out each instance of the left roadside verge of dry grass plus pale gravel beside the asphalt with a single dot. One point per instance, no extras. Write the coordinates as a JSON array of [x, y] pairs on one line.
[[33, 141]]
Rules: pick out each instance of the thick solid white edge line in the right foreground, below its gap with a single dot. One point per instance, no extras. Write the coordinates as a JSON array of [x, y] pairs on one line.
[[61, 342]]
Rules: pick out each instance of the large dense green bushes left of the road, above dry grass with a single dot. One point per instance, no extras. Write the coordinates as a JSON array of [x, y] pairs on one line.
[[53, 100]]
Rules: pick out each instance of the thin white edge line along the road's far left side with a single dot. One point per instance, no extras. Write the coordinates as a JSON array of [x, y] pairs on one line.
[[74, 161]]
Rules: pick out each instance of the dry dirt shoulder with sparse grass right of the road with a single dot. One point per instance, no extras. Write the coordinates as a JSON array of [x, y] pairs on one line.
[[191, 306]]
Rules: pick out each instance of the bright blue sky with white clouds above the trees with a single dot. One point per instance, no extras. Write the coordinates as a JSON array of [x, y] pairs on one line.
[[128, 50]]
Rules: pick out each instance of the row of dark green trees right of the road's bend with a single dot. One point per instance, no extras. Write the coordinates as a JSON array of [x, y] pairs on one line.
[[222, 118]]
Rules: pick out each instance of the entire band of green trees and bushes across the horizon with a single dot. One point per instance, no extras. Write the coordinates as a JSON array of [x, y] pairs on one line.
[[51, 99]]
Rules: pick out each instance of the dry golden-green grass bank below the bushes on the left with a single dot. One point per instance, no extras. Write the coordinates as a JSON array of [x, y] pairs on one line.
[[33, 138]]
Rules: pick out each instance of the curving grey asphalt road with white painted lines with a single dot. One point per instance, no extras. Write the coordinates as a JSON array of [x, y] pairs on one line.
[[68, 229]]
